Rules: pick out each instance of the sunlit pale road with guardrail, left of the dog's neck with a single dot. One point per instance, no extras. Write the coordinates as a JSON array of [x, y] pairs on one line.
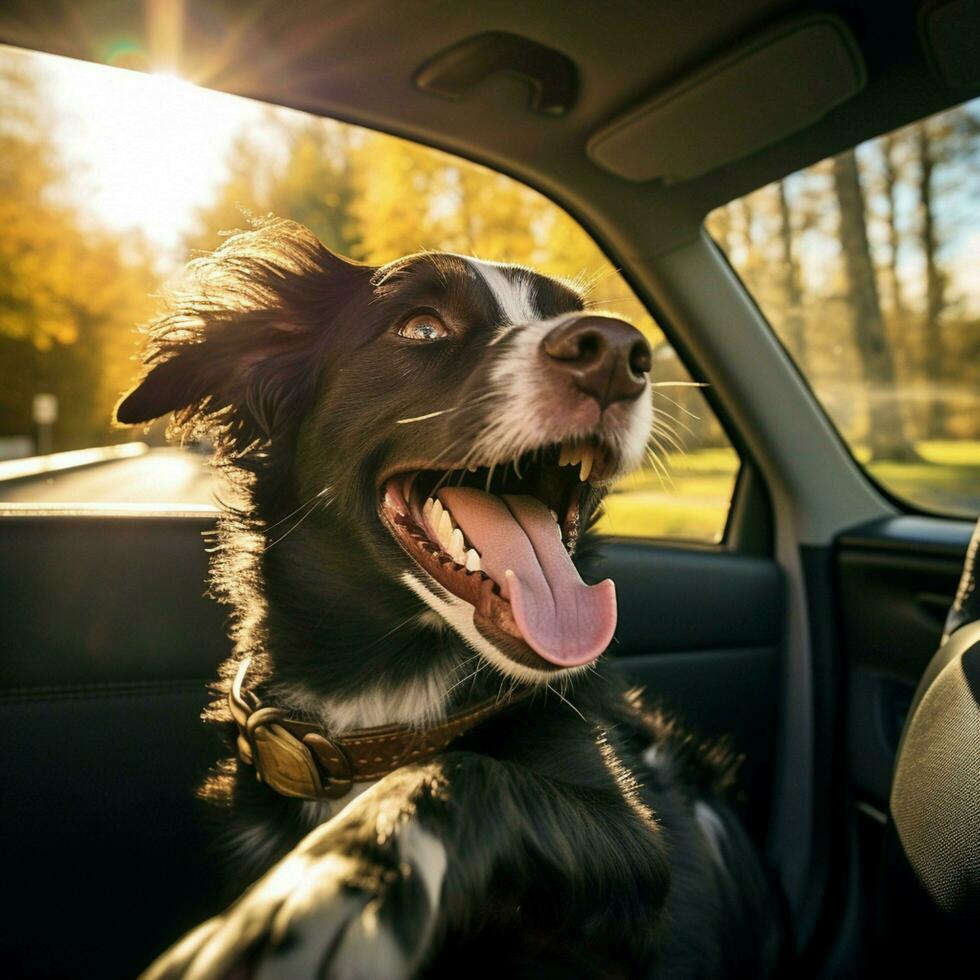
[[174, 477]]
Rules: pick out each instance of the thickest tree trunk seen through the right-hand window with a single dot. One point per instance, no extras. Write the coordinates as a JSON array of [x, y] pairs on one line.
[[886, 435]]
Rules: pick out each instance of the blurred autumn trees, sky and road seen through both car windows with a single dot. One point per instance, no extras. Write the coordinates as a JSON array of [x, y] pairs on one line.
[[866, 266]]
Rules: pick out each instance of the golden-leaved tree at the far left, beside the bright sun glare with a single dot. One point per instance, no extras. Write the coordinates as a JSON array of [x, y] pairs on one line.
[[70, 294]]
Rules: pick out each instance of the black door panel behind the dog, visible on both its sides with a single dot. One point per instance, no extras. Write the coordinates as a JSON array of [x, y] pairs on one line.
[[110, 642]]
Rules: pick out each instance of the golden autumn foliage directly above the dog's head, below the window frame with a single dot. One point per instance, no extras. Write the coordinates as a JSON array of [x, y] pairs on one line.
[[376, 198]]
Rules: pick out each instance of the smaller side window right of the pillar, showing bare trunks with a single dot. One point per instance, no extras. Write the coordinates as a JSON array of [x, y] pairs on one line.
[[866, 265]]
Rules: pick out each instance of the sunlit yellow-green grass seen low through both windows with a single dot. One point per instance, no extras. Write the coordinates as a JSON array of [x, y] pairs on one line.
[[692, 503]]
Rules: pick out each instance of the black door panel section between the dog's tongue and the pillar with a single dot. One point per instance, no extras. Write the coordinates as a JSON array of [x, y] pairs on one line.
[[701, 630]]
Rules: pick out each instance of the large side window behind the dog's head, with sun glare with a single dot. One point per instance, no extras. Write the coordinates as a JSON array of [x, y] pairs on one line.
[[101, 208]]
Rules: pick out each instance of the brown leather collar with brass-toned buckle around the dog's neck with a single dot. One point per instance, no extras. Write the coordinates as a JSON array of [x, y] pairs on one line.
[[296, 758]]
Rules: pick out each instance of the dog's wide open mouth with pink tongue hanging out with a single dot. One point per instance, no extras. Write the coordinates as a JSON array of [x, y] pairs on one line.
[[501, 538]]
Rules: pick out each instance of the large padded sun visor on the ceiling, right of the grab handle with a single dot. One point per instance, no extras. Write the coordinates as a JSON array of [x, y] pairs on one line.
[[777, 84]]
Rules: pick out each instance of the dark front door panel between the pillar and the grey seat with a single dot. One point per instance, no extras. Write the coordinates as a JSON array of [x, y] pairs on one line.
[[895, 580]]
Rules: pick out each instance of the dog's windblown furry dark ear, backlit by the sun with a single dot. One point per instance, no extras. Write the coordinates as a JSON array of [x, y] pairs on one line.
[[236, 349]]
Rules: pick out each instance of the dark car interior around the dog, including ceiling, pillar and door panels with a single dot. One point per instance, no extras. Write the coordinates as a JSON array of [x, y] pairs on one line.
[[802, 635]]
